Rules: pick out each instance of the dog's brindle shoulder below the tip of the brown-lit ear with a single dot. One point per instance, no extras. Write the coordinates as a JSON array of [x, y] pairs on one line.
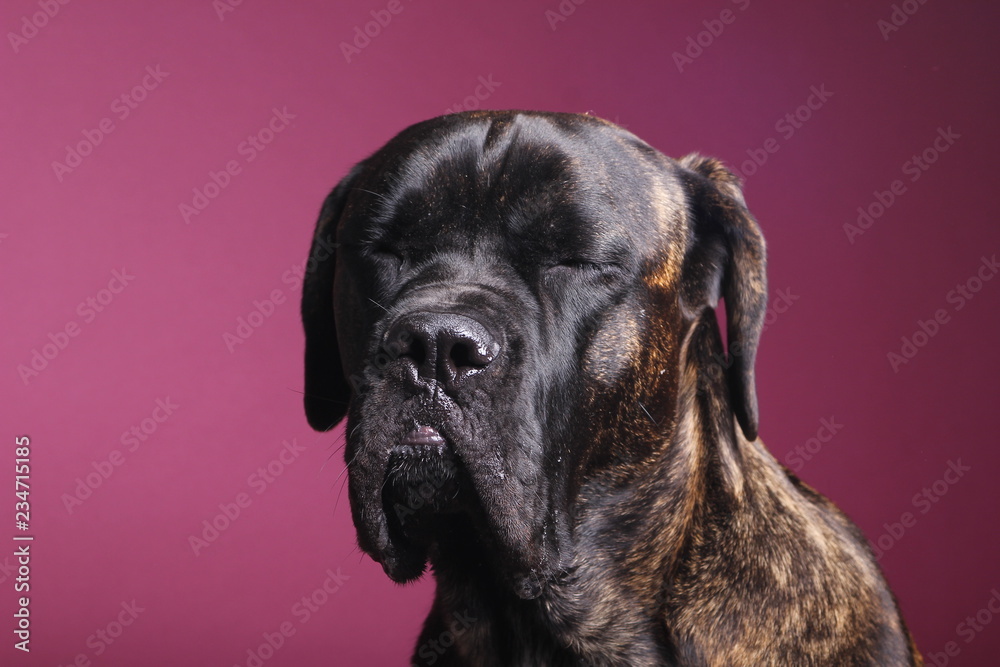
[[781, 571]]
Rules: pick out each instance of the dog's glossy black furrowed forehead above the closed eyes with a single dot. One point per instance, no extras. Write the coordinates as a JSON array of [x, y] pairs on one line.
[[571, 178]]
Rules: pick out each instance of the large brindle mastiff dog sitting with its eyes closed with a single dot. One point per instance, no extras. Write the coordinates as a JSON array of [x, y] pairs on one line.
[[516, 313]]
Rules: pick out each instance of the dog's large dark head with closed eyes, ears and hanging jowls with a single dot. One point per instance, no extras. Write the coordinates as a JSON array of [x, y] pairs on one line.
[[498, 301]]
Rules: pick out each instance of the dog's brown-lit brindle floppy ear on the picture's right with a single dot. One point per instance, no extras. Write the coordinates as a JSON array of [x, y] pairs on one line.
[[728, 257]]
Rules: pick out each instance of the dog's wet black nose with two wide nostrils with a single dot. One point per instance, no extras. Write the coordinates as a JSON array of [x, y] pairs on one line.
[[443, 346]]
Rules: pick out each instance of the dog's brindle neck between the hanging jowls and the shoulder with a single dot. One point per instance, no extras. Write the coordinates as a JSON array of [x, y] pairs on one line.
[[628, 540]]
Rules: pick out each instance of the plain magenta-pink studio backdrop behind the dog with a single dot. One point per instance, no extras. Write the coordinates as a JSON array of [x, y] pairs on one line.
[[142, 227]]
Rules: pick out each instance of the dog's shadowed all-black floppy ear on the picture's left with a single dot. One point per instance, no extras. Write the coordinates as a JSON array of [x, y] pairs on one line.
[[327, 393]]
